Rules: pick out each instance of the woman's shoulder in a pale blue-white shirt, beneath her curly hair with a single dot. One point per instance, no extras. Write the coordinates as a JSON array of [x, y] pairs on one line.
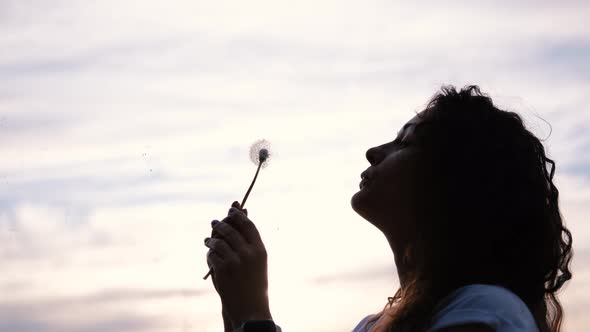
[[492, 305]]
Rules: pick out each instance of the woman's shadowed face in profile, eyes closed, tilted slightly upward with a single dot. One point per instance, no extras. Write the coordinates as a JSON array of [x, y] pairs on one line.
[[391, 187]]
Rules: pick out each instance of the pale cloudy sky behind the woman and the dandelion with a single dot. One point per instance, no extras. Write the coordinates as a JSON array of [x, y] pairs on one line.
[[125, 128]]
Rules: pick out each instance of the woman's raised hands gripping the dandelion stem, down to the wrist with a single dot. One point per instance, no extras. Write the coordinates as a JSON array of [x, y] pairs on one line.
[[238, 258]]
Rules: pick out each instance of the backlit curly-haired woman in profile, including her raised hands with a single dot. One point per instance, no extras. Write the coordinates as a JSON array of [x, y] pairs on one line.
[[465, 197]]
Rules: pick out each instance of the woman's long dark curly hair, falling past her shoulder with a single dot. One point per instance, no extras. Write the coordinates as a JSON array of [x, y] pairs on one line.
[[497, 213]]
